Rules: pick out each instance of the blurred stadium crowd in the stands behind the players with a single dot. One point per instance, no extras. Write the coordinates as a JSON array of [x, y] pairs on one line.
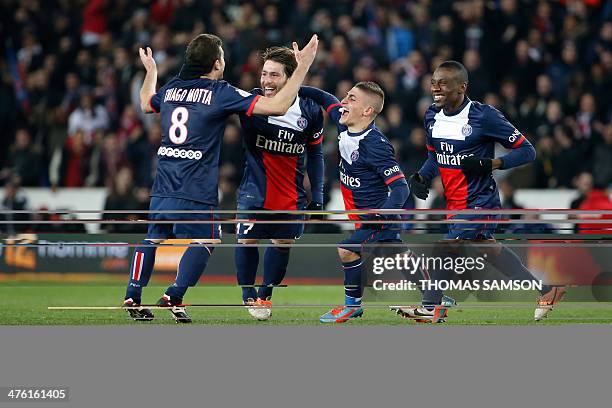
[[70, 77]]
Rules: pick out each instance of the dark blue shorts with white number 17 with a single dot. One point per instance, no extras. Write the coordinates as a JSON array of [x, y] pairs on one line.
[[258, 230]]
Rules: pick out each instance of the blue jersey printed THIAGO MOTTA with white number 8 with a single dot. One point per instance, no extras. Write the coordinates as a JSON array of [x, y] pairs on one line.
[[193, 117]]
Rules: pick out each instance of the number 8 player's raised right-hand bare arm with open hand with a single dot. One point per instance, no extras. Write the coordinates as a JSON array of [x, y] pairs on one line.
[[280, 103]]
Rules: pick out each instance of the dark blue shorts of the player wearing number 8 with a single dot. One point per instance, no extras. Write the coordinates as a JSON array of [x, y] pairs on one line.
[[183, 231]]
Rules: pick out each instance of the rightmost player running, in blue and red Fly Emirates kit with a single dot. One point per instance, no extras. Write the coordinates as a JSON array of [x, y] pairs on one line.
[[461, 137]]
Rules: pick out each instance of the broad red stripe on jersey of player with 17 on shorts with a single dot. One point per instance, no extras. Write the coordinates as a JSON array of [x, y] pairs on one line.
[[281, 189]]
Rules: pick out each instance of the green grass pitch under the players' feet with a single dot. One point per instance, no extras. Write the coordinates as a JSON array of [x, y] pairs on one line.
[[26, 304]]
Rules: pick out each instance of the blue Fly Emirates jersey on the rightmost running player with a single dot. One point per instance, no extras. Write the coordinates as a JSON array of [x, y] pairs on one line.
[[472, 130]]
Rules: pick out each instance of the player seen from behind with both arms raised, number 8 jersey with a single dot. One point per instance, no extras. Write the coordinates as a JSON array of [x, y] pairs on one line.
[[194, 107]]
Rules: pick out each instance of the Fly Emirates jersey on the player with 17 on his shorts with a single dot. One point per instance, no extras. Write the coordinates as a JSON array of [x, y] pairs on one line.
[[275, 150]]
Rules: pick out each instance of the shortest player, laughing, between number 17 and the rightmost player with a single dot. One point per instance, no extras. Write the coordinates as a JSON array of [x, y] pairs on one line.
[[370, 178]]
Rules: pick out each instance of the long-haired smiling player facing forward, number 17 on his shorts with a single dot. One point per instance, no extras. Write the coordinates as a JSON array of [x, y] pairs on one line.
[[278, 150]]
